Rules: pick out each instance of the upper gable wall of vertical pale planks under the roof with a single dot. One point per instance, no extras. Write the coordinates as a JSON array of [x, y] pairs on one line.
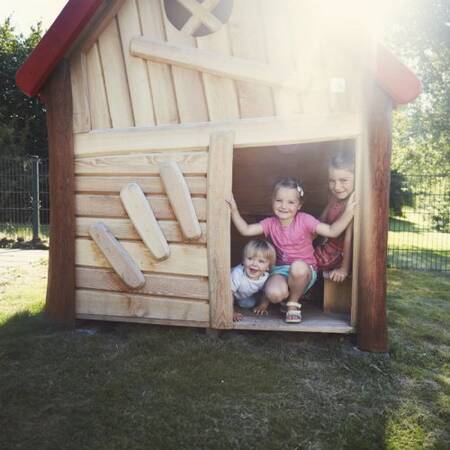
[[115, 90]]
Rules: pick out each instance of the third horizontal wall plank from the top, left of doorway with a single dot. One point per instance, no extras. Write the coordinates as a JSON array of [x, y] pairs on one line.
[[111, 206]]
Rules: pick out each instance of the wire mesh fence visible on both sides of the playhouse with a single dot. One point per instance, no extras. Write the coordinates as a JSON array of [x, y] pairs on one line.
[[419, 228]]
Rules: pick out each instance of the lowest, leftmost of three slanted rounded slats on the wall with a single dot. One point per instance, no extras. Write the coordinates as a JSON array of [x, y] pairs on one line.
[[116, 255]]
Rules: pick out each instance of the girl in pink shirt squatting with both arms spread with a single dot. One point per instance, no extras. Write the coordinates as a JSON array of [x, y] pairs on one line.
[[291, 233]]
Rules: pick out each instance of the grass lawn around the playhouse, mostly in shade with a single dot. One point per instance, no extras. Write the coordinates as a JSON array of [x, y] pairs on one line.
[[124, 386]]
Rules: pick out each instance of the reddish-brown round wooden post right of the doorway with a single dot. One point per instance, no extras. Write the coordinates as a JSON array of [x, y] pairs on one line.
[[374, 218]]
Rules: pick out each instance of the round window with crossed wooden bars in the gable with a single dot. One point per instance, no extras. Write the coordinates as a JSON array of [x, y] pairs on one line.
[[198, 17]]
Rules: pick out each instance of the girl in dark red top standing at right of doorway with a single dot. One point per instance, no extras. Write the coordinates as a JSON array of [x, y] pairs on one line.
[[334, 254]]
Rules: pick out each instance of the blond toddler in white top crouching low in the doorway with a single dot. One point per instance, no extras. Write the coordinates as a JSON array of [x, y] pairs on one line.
[[249, 277]]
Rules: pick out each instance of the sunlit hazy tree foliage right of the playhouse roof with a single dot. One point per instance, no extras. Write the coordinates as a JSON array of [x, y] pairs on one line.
[[419, 33]]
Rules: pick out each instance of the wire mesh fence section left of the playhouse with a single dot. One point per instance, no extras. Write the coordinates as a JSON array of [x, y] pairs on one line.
[[24, 199]]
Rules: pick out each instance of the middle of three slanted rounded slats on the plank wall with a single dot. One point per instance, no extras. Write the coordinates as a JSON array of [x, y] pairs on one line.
[[143, 219]]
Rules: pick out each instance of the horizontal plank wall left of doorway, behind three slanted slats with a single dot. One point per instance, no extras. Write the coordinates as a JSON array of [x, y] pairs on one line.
[[176, 289]]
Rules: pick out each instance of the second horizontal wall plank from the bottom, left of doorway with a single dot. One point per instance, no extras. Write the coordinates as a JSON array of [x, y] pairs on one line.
[[155, 284]]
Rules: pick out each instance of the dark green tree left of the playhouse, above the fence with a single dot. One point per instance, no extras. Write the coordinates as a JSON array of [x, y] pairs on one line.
[[22, 119]]
